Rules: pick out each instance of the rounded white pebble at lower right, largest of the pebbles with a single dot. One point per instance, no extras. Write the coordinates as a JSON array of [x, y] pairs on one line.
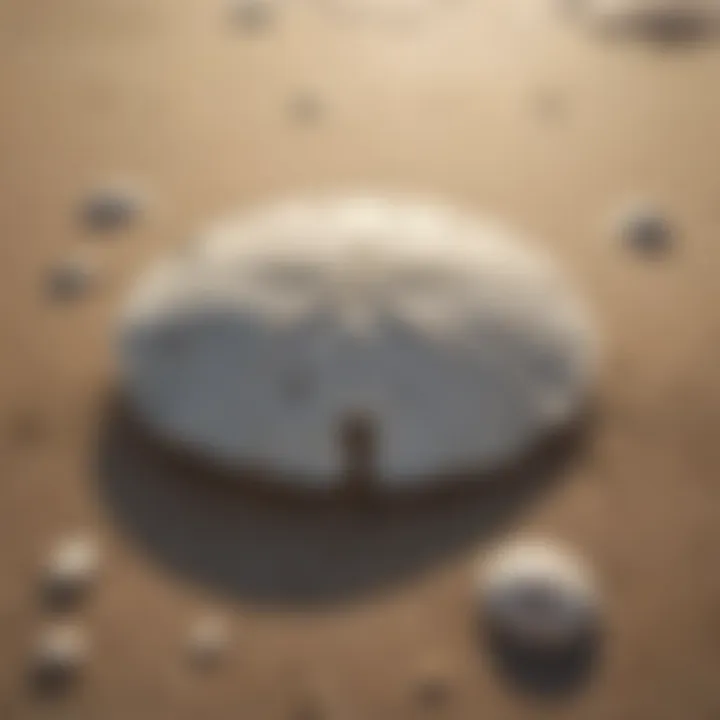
[[537, 595]]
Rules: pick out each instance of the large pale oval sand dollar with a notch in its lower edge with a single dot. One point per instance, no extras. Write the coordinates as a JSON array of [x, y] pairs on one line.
[[458, 345]]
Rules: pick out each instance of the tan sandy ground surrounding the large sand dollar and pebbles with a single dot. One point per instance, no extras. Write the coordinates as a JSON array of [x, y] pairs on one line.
[[495, 105]]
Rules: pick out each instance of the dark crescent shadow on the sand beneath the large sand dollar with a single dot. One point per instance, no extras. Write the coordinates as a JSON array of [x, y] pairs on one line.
[[262, 542]]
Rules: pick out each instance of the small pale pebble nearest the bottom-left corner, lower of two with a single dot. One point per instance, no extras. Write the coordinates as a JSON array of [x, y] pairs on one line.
[[60, 653]]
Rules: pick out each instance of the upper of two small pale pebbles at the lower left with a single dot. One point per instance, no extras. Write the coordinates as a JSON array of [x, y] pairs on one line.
[[71, 569]]
